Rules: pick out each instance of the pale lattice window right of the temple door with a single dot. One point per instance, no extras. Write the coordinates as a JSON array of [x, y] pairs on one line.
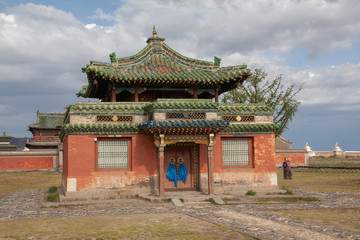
[[235, 152]]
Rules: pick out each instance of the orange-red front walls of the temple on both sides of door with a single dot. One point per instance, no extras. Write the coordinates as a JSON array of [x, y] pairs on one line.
[[81, 149]]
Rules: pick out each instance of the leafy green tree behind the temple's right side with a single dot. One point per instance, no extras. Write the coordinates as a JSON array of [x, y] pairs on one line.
[[258, 88]]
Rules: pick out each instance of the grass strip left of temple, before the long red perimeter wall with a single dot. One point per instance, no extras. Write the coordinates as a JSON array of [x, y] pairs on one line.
[[20, 181]]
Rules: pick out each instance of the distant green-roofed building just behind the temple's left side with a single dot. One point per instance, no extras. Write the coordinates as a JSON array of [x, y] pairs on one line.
[[45, 131]]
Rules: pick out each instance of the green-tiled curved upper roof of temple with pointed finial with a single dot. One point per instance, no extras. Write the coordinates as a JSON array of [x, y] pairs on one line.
[[159, 65]]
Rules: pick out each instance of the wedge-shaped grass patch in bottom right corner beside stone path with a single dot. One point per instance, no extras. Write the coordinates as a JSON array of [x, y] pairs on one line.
[[345, 219]]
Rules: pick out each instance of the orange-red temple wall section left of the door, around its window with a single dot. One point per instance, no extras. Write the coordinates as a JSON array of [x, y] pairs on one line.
[[81, 149]]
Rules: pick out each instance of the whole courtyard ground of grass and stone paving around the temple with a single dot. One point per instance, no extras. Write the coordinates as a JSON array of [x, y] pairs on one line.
[[323, 206]]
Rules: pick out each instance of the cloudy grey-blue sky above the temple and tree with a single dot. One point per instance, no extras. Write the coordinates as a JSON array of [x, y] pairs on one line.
[[44, 44]]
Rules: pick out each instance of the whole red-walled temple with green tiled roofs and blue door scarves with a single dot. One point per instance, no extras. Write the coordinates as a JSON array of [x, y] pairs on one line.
[[160, 127]]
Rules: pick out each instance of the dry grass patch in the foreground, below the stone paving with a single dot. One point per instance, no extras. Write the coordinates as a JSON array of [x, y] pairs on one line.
[[134, 226]]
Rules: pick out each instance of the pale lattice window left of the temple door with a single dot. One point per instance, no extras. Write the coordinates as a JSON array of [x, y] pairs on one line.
[[113, 154]]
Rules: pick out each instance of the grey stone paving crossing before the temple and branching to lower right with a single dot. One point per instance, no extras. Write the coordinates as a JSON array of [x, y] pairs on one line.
[[245, 215]]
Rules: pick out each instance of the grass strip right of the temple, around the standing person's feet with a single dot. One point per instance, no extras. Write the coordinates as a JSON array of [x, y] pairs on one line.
[[323, 182]]
